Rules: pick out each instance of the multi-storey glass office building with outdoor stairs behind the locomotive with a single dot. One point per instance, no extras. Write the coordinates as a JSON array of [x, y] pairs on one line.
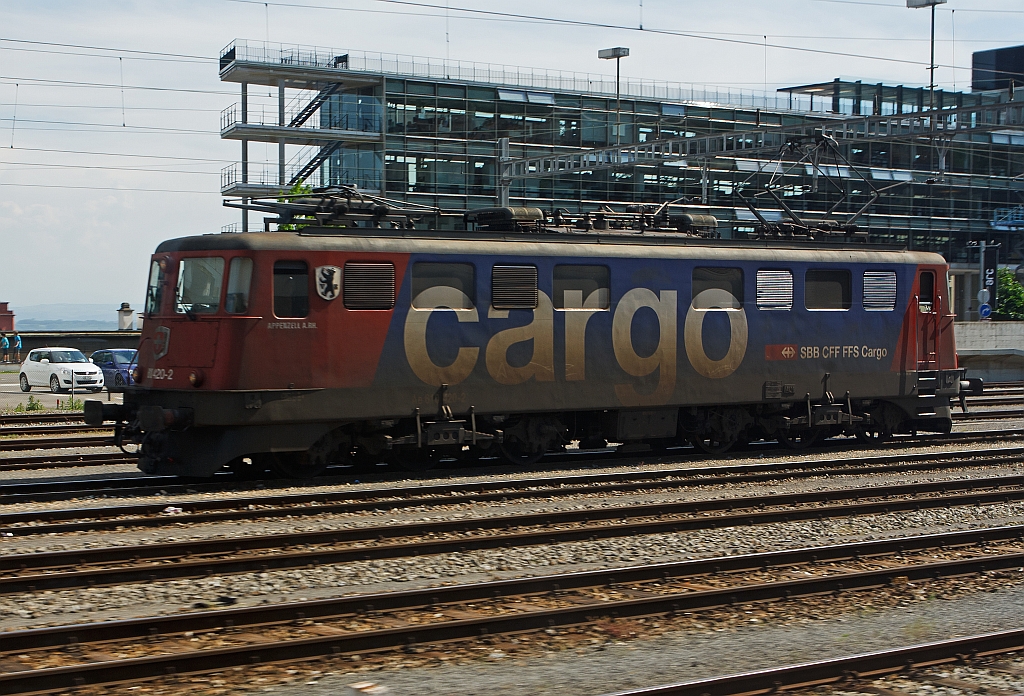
[[432, 132]]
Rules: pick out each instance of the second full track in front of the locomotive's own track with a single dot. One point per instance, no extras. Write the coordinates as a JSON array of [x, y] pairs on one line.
[[65, 570]]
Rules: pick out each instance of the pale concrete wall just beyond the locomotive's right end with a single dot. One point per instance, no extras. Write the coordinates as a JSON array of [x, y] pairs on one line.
[[992, 351]]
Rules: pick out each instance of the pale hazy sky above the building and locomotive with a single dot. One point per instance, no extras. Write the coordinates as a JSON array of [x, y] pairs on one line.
[[110, 112]]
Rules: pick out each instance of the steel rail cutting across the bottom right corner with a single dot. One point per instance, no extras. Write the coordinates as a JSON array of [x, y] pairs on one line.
[[866, 666]]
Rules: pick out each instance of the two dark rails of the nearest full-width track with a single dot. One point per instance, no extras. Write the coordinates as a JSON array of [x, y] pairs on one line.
[[44, 680]]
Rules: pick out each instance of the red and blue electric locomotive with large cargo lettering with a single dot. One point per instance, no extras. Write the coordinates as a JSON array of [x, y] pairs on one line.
[[364, 331]]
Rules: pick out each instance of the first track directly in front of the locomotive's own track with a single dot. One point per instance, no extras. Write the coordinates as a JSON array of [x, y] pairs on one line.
[[300, 505]]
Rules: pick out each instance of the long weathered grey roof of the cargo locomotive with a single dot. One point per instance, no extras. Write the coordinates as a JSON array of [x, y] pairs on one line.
[[606, 245]]
